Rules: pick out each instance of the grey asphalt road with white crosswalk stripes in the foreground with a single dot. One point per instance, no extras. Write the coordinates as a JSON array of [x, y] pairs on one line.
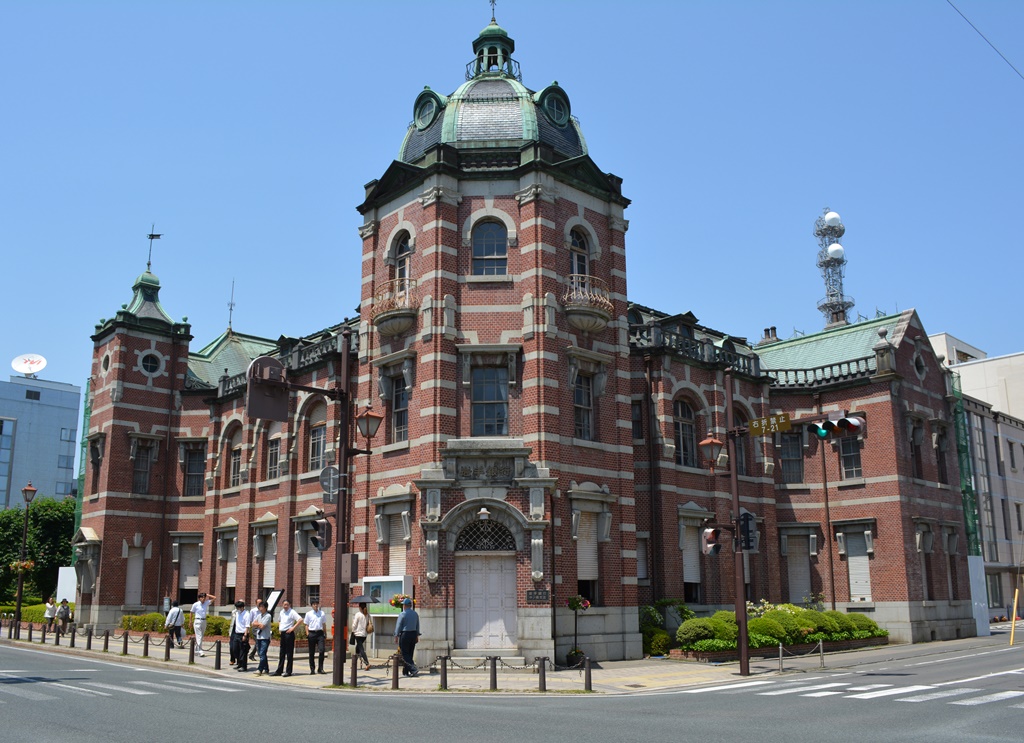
[[908, 693]]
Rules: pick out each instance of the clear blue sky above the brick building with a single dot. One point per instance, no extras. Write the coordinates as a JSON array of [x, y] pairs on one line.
[[246, 132]]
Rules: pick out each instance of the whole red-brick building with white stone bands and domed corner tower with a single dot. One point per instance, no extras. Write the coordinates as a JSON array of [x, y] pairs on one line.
[[540, 432]]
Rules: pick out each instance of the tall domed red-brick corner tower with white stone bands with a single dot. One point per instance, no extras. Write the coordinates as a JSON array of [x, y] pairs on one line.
[[494, 331]]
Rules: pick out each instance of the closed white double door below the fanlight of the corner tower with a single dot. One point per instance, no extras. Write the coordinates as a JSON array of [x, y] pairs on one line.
[[486, 601]]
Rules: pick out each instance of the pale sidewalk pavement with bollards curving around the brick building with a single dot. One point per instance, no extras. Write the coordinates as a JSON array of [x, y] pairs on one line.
[[620, 677]]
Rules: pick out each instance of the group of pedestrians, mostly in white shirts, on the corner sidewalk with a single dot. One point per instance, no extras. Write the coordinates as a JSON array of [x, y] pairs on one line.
[[258, 623]]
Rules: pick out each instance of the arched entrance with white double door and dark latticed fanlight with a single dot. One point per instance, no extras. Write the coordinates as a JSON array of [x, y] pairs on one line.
[[486, 587]]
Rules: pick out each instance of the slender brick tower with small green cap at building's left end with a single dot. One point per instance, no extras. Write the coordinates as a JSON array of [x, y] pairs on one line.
[[139, 366]]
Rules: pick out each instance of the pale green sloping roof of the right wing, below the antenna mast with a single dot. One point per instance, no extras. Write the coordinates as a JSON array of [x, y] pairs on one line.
[[831, 346]]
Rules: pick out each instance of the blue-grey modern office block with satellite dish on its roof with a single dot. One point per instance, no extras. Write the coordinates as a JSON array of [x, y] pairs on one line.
[[38, 439]]
